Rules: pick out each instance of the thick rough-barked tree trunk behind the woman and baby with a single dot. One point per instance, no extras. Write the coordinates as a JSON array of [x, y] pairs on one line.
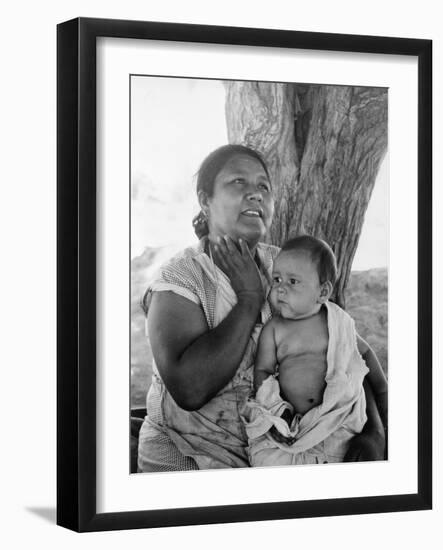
[[323, 146]]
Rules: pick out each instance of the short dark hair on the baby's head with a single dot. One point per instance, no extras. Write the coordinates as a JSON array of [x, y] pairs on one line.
[[320, 253]]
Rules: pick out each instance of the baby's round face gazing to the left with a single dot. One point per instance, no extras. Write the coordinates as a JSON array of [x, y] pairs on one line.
[[296, 285]]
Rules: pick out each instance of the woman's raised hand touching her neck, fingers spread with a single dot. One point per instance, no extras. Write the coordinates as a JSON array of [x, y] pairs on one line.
[[238, 264]]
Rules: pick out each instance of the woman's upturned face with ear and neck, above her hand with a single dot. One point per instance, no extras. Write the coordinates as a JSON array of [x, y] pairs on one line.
[[242, 204]]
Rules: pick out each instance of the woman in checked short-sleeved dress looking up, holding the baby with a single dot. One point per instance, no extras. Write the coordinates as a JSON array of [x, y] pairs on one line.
[[205, 312]]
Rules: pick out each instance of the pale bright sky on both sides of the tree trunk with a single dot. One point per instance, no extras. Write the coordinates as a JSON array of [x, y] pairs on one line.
[[175, 123]]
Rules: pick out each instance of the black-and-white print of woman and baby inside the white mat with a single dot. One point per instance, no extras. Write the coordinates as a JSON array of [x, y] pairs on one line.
[[259, 261]]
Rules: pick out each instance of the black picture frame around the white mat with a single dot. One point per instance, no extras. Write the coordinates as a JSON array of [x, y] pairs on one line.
[[76, 273]]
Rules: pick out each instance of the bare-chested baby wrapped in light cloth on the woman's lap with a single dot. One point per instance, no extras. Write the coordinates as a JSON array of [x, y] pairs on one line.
[[318, 404]]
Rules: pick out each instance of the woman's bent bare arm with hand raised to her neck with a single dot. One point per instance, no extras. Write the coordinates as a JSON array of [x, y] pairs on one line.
[[196, 363]]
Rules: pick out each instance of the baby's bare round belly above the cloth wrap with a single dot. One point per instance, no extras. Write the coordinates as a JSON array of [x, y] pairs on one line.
[[302, 381]]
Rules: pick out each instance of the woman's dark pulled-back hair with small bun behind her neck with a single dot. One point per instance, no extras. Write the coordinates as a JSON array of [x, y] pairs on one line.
[[209, 170]]
